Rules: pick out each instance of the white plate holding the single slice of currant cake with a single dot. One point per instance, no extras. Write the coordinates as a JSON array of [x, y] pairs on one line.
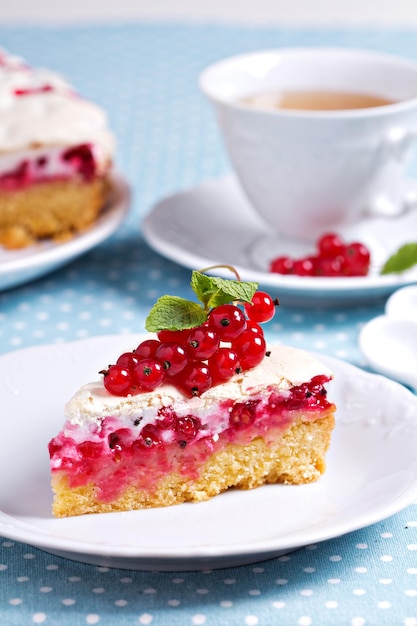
[[371, 474]]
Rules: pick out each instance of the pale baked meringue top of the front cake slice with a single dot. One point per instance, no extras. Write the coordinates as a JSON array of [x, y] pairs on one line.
[[284, 368]]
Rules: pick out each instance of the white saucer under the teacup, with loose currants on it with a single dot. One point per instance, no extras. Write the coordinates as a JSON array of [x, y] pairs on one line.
[[214, 223]]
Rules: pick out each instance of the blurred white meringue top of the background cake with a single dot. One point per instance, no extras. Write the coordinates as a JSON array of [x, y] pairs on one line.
[[55, 117]]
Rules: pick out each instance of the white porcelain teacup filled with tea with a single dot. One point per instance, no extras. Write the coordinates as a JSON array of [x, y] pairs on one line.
[[306, 171]]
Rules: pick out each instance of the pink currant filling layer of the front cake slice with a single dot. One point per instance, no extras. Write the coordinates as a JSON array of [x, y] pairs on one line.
[[114, 456]]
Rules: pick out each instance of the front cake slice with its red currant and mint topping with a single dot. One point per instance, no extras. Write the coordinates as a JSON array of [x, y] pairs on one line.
[[194, 410]]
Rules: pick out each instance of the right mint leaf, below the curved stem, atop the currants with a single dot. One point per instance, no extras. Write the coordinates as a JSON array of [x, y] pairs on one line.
[[213, 291]]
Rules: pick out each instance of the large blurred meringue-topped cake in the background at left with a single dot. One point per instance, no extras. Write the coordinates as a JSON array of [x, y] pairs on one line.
[[56, 152]]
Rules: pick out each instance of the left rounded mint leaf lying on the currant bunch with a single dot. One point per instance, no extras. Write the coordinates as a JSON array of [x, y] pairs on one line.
[[174, 313]]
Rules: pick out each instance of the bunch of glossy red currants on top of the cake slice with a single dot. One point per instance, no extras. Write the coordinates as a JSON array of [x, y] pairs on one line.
[[230, 341]]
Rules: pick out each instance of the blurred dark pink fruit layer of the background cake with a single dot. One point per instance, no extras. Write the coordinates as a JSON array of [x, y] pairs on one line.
[[51, 165]]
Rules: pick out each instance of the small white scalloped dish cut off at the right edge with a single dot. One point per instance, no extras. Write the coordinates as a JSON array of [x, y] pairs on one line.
[[389, 342]]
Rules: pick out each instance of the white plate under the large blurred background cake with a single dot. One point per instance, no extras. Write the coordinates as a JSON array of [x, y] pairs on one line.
[[21, 266]]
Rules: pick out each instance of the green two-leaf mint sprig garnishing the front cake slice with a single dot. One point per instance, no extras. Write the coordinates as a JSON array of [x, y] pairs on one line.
[[175, 313]]
